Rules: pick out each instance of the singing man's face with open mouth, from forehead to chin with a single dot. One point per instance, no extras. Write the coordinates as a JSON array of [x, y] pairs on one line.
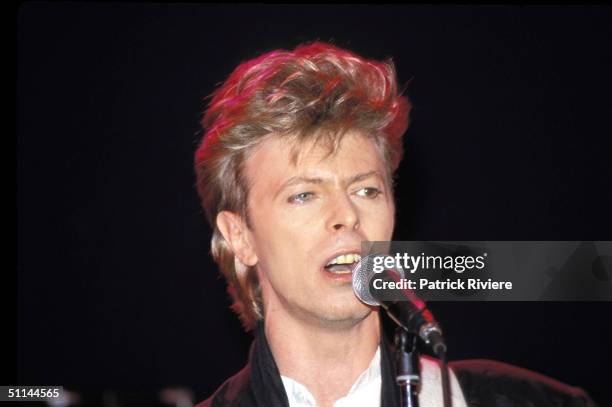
[[305, 214]]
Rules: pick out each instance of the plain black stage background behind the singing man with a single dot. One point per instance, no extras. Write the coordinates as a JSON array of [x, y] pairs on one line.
[[510, 140]]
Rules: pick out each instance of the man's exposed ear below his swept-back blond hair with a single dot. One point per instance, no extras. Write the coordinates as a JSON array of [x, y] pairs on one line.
[[236, 234]]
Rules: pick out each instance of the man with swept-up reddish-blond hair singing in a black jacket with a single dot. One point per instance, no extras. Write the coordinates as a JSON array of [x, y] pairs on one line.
[[294, 172]]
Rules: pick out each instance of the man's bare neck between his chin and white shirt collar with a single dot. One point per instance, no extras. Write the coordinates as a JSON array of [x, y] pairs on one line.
[[326, 359]]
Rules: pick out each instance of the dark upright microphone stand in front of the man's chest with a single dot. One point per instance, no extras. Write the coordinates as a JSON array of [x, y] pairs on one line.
[[407, 366]]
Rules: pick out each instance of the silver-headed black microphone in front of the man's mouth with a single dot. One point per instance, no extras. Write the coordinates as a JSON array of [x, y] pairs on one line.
[[405, 309]]
